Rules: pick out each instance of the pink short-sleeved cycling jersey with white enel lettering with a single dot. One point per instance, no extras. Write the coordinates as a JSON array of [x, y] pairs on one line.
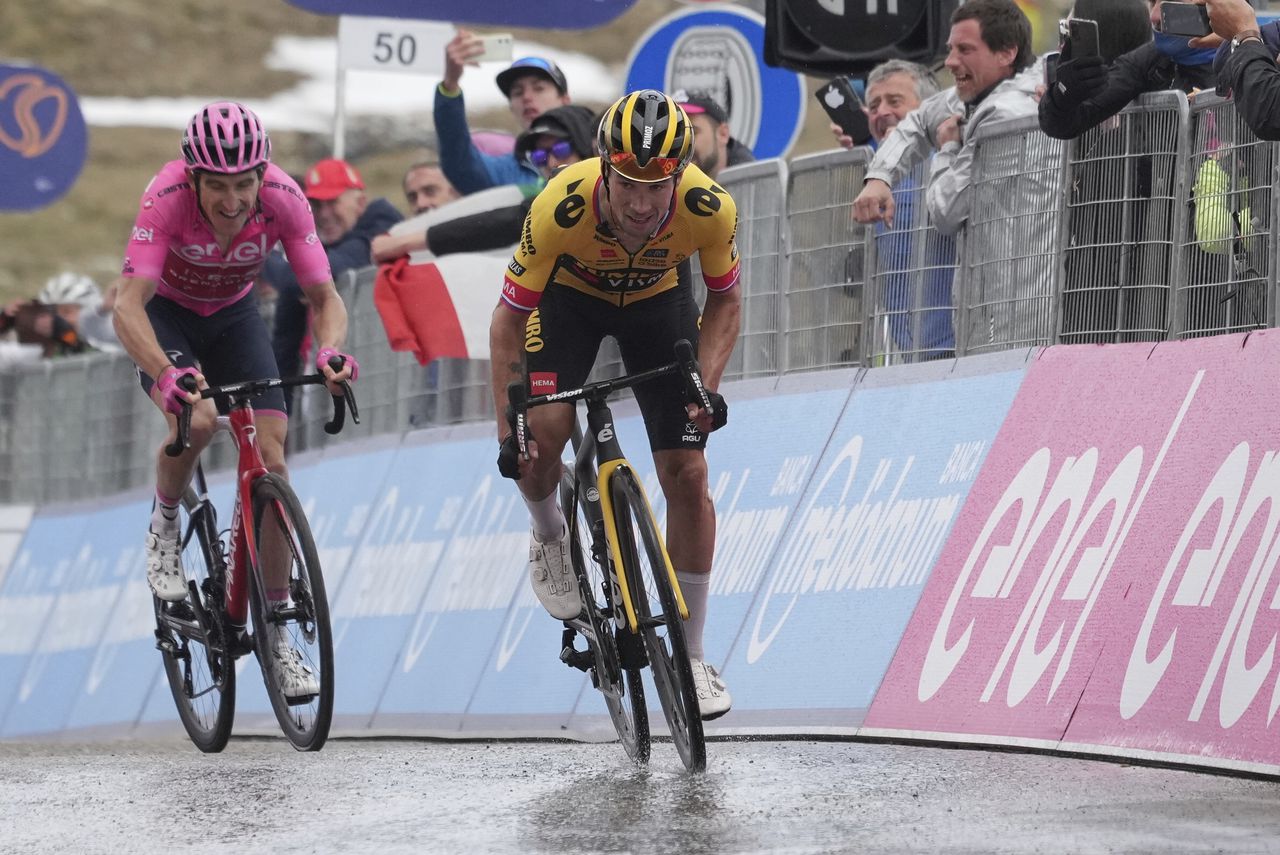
[[173, 244]]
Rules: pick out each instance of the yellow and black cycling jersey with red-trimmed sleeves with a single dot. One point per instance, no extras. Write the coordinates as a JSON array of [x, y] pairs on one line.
[[566, 243]]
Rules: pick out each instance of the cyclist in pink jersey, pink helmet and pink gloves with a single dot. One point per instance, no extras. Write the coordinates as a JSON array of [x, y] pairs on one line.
[[186, 307]]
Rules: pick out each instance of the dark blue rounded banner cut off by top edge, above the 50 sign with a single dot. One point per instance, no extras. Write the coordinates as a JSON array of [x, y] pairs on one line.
[[552, 15]]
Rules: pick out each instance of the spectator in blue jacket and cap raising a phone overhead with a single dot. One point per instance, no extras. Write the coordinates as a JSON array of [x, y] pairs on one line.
[[532, 85]]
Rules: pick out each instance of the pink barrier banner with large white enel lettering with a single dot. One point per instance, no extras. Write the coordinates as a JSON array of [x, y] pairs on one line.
[[1112, 579]]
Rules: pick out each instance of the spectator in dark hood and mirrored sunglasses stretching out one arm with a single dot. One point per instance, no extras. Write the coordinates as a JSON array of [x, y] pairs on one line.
[[561, 136]]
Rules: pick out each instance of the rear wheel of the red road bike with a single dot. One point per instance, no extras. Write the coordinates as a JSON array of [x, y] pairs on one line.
[[200, 670]]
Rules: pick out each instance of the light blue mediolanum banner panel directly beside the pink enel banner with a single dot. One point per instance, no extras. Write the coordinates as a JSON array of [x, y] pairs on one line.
[[870, 524]]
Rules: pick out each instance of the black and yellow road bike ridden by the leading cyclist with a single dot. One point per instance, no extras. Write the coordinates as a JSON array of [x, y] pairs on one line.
[[633, 607]]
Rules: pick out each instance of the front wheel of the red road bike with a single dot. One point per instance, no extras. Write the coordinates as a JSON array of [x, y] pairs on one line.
[[304, 619]]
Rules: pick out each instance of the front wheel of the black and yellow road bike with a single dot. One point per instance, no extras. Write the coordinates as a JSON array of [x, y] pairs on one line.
[[659, 618]]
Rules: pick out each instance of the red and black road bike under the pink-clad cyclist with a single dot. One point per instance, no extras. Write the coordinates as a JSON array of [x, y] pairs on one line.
[[230, 575]]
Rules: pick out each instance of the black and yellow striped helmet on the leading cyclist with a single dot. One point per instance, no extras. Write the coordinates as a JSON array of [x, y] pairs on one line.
[[646, 136]]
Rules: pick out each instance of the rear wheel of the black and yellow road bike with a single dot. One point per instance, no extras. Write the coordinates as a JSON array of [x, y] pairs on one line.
[[623, 687]]
